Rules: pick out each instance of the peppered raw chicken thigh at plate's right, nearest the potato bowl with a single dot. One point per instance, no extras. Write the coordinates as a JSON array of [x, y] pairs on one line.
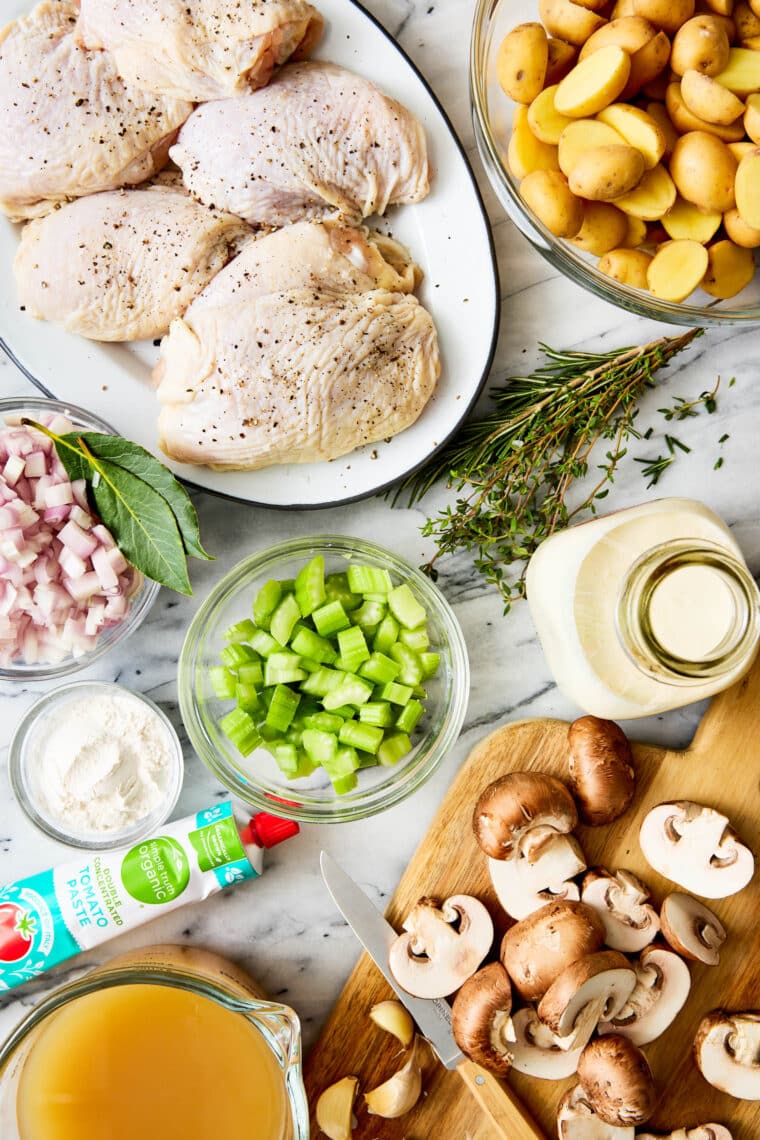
[[320, 141]]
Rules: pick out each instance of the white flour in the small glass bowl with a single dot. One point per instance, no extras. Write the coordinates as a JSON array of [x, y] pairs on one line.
[[101, 763]]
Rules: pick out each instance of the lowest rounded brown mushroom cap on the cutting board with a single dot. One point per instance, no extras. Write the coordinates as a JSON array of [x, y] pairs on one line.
[[618, 1081]]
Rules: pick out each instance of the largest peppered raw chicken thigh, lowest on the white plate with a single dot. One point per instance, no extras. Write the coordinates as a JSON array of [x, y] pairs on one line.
[[306, 347]]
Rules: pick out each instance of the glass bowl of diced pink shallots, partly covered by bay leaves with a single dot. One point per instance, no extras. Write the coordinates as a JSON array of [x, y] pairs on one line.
[[68, 595]]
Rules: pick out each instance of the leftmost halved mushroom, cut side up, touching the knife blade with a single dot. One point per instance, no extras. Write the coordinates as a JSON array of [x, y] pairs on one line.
[[435, 957]]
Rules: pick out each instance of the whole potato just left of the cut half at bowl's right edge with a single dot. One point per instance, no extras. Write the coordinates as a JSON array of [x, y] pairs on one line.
[[705, 170]]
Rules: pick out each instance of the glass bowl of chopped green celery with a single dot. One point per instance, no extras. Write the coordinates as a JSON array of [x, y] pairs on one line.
[[324, 679]]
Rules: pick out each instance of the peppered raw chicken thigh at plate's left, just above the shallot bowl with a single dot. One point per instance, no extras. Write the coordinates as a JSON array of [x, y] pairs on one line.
[[120, 266]]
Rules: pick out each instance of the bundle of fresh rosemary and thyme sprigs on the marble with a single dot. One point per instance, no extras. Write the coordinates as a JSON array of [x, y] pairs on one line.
[[517, 467]]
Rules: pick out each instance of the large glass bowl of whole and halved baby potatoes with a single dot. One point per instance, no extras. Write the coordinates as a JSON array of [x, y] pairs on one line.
[[623, 137]]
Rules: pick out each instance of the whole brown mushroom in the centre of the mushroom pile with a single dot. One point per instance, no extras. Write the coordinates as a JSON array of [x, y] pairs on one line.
[[538, 949]]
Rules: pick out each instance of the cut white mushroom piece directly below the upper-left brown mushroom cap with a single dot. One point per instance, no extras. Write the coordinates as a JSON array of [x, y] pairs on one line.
[[530, 880]]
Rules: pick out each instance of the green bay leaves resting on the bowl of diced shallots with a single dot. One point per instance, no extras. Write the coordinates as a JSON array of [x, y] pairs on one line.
[[144, 507]]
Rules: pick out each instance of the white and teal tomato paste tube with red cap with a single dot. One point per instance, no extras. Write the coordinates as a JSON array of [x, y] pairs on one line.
[[51, 917]]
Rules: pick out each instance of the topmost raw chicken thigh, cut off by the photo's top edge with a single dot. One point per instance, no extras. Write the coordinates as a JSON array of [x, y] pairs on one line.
[[200, 50]]
